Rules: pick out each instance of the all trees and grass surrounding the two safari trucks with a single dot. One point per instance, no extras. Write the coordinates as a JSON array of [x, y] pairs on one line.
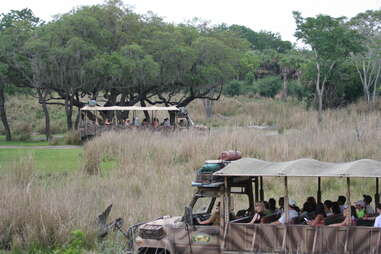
[[318, 102]]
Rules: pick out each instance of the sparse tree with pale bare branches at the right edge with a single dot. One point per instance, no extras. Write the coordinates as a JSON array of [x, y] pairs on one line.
[[368, 62]]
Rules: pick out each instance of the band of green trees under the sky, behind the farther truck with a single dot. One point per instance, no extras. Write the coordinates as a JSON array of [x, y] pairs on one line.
[[111, 53]]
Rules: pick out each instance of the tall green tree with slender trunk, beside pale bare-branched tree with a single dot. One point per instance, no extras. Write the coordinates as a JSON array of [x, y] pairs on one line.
[[331, 41]]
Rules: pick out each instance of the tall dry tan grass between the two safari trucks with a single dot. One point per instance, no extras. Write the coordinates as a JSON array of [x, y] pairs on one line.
[[155, 170]]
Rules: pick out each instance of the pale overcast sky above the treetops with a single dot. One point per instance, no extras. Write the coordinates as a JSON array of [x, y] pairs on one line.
[[271, 15]]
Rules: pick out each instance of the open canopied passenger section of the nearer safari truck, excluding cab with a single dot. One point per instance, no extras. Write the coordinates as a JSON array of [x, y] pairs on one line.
[[238, 236]]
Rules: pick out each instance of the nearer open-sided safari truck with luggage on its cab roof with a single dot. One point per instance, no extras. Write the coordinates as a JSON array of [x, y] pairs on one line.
[[235, 186]]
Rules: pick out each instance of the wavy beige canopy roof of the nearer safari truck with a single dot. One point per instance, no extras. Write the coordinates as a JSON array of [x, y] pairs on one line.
[[302, 168]]
